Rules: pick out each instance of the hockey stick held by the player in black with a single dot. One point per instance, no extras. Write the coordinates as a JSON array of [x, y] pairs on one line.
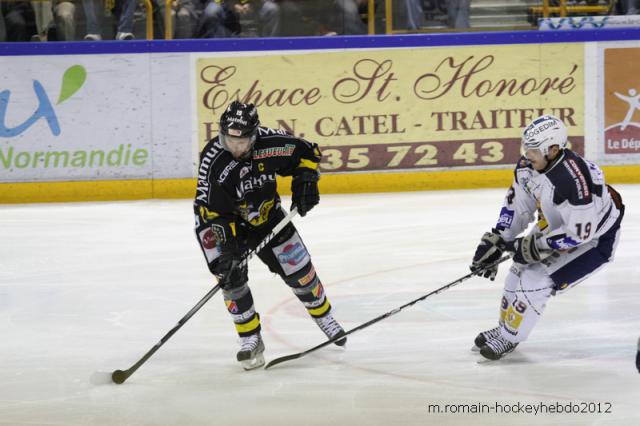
[[119, 376]]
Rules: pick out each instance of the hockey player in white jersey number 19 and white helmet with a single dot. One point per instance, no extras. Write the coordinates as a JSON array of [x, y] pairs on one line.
[[576, 233]]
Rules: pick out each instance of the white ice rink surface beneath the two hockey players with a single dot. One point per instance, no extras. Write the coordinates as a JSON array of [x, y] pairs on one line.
[[90, 287]]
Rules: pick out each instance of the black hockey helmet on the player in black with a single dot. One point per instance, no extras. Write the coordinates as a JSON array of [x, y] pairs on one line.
[[239, 120]]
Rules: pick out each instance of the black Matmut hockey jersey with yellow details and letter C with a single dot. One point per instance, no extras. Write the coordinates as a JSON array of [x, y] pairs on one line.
[[230, 190]]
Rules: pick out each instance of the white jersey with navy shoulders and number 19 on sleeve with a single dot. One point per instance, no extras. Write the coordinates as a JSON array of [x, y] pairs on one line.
[[571, 198]]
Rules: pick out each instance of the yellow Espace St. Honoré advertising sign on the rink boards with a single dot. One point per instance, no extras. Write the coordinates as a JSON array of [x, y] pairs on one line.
[[402, 108]]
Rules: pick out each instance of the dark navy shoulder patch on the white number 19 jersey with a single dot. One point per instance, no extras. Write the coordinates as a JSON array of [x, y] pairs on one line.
[[571, 180]]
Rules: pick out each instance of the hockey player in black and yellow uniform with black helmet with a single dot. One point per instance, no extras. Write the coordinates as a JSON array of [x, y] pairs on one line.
[[237, 205]]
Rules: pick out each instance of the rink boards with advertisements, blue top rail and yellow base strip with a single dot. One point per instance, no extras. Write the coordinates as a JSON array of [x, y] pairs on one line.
[[126, 120]]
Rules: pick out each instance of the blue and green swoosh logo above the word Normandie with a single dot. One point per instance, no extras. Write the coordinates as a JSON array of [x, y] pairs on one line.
[[72, 80]]
